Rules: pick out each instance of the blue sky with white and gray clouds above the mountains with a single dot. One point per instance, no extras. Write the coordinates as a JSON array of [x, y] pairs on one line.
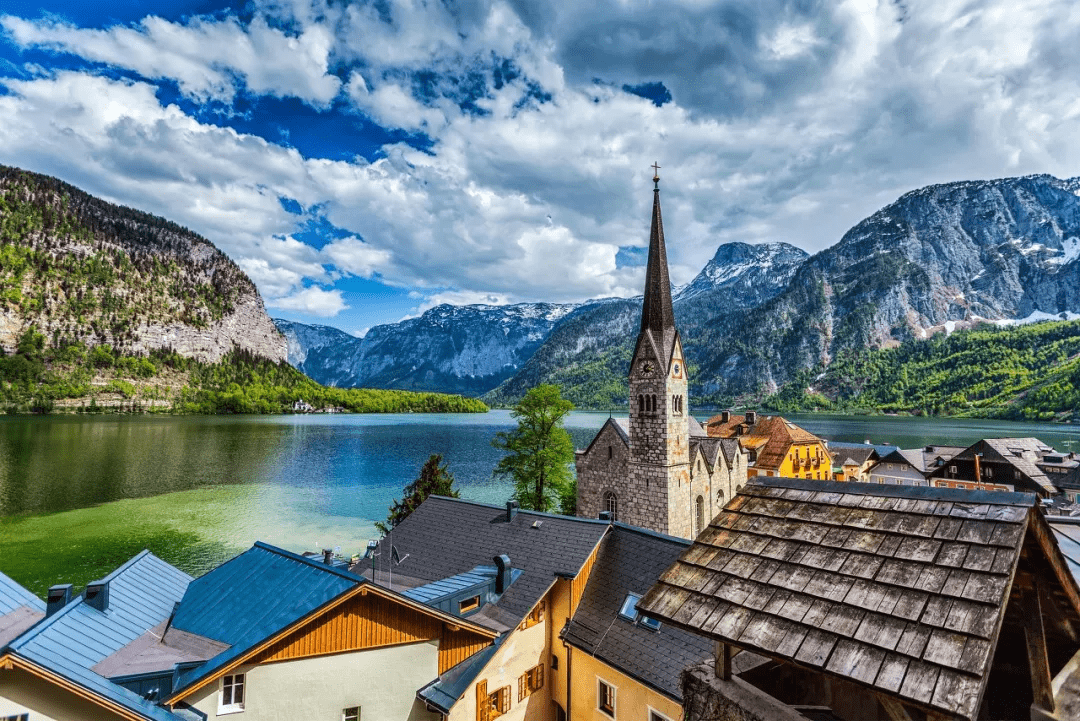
[[367, 161]]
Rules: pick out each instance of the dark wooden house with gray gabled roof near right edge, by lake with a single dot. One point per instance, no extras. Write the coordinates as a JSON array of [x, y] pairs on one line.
[[1000, 465]]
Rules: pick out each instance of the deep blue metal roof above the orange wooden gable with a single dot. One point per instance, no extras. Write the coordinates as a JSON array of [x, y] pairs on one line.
[[253, 597]]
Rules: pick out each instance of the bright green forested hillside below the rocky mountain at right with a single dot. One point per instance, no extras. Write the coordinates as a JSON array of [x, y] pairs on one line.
[[1030, 372]]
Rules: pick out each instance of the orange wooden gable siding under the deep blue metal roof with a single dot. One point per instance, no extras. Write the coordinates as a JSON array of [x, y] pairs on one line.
[[370, 621]]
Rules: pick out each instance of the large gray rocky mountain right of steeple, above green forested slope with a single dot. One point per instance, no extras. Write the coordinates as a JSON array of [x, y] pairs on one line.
[[941, 257]]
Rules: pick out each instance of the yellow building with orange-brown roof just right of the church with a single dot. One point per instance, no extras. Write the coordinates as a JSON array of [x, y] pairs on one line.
[[775, 446]]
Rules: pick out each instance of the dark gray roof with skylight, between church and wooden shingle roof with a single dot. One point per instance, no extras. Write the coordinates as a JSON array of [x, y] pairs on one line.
[[630, 561]]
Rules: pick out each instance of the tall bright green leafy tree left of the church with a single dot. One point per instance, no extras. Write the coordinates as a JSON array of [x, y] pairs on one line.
[[539, 451]]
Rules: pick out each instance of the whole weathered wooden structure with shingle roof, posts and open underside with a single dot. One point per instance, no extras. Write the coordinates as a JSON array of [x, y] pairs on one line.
[[876, 603]]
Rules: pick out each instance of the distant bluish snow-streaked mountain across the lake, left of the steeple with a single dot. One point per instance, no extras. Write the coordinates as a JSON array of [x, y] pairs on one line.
[[468, 349]]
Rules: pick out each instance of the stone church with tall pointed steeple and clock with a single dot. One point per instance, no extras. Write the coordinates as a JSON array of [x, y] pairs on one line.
[[658, 469]]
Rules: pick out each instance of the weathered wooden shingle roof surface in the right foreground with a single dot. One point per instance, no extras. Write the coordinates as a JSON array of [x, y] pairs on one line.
[[902, 590]]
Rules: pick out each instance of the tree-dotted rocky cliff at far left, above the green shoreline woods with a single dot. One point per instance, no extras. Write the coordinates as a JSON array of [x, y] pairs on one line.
[[80, 269]]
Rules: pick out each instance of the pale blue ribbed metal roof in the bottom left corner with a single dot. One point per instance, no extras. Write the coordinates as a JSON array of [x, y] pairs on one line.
[[142, 595]]
